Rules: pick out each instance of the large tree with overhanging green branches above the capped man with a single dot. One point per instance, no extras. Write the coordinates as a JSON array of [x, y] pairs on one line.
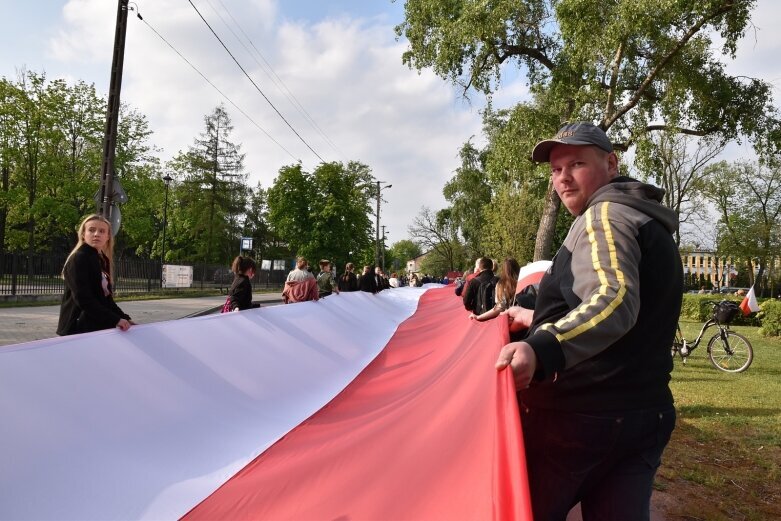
[[633, 66]]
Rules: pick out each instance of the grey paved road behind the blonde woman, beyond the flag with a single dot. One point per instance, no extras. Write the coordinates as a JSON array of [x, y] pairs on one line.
[[25, 324]]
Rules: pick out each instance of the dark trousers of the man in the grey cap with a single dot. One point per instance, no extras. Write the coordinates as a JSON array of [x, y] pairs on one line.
[[605, 461]]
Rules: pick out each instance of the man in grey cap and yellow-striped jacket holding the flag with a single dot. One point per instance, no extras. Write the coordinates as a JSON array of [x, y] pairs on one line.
[[593, 371]]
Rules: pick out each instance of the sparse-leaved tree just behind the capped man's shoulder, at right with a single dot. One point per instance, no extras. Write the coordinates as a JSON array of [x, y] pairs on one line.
[[678, 164]]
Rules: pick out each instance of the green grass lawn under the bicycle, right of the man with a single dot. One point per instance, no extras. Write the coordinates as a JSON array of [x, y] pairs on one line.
[[724, 460]]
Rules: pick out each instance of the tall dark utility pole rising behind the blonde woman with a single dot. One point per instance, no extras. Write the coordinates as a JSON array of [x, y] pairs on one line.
[[112, 113]]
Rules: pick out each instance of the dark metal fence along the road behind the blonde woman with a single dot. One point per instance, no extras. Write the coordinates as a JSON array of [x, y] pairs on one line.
[[22, 274]]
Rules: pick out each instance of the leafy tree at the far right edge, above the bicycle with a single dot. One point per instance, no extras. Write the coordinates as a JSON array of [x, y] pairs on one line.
[[748, 199]]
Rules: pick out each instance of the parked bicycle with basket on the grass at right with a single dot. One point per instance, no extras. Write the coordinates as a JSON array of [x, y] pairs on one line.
[[727, 350]]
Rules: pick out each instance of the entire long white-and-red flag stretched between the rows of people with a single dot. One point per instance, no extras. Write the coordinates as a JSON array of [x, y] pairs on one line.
[[358, 406]]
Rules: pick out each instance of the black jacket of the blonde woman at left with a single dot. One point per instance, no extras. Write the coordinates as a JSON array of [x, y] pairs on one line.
[[85, 307]]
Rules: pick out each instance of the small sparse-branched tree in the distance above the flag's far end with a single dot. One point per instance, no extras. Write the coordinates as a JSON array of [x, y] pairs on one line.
[[436, 233]]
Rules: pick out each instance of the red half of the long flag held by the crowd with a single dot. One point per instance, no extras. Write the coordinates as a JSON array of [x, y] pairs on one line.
[[429, 430]]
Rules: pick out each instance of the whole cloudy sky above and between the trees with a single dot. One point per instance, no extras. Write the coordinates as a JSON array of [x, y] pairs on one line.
[[339, 59]]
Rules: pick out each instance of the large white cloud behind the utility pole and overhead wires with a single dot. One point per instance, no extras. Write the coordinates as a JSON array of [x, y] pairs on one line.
[[346, 72]]
